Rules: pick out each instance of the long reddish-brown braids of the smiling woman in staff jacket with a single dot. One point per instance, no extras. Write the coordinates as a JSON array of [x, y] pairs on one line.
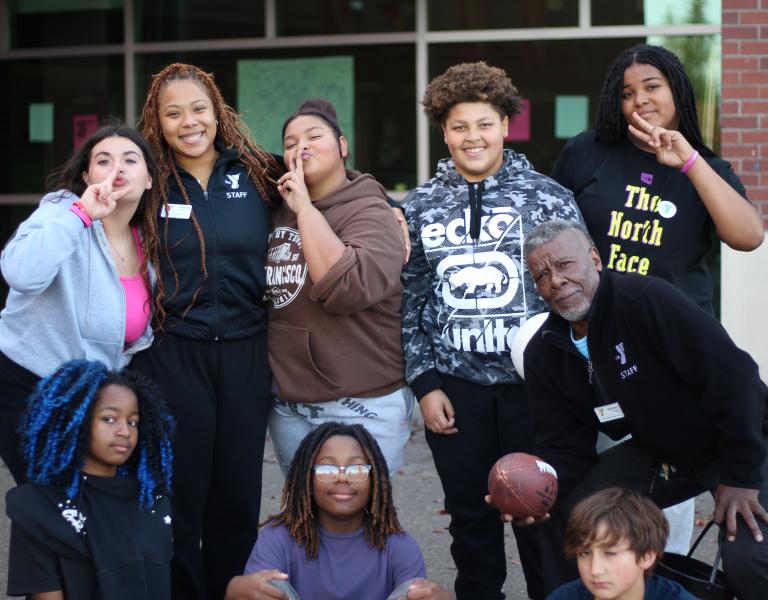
[[231, 132]]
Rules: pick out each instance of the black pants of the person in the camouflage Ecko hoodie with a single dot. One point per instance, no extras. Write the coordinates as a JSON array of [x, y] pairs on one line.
[[492, 421]]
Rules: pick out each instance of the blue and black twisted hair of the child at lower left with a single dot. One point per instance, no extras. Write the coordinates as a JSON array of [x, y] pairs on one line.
[[56, 429]]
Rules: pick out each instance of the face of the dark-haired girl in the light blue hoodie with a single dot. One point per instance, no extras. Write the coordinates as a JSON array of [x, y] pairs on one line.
[[132, 167]]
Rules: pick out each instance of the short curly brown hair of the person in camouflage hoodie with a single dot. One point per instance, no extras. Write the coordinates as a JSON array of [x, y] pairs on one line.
[[470, 82]]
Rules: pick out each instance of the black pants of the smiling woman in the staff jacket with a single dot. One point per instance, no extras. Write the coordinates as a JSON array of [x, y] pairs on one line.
[[219, 393]]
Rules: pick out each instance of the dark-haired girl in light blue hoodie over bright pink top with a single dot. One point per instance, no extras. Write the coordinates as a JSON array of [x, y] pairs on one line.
[[79, 284]]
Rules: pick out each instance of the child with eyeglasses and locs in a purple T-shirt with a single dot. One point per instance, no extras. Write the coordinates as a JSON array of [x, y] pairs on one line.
[[337, 535]]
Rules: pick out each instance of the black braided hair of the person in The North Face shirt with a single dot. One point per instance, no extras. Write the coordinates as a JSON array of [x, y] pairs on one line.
[[611, 127]]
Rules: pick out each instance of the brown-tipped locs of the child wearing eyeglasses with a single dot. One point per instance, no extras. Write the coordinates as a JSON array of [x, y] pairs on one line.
[[298, 509]]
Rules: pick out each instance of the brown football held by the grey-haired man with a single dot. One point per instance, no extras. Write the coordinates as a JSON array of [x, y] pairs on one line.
[[522, 485]]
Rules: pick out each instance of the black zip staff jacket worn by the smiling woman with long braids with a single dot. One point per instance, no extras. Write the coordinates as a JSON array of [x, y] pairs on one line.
[[234, 219]]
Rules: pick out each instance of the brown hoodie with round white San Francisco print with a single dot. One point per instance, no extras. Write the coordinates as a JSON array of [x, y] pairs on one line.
[[339, 336]]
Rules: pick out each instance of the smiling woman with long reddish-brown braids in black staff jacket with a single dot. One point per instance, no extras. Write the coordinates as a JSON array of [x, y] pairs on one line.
[[206, 232]]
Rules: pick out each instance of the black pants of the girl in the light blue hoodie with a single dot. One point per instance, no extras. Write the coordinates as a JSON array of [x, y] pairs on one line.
[[16, 385]]
